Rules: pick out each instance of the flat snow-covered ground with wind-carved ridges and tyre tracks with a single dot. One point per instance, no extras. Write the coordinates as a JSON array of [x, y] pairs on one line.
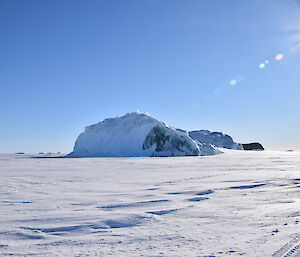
[[236, 203]]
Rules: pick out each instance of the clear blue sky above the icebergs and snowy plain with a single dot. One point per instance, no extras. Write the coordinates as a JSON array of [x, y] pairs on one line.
[[66, 64]]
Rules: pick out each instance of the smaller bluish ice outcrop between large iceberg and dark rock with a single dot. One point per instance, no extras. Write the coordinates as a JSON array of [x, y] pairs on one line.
[[216, 138]]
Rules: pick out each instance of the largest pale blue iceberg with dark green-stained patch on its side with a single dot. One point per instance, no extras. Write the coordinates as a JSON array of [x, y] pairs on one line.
[[137, 134]]
